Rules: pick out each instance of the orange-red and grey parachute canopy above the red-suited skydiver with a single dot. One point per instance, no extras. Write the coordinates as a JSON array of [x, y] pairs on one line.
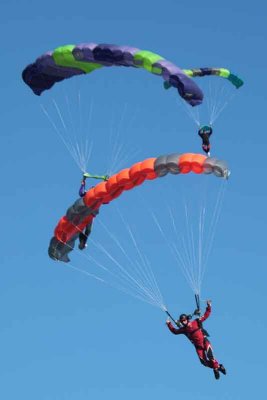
[[82, 212]]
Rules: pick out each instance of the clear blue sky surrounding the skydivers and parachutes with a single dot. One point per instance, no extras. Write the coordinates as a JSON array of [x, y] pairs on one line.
[[66, 336]]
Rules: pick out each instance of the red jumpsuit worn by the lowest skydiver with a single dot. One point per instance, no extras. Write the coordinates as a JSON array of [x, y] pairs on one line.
[[195, 334]]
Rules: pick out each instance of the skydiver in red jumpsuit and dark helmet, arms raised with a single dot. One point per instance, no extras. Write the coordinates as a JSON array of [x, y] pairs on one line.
[[194, 331]]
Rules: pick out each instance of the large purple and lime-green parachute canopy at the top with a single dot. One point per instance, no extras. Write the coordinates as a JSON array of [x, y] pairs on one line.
[[67, 61]]
